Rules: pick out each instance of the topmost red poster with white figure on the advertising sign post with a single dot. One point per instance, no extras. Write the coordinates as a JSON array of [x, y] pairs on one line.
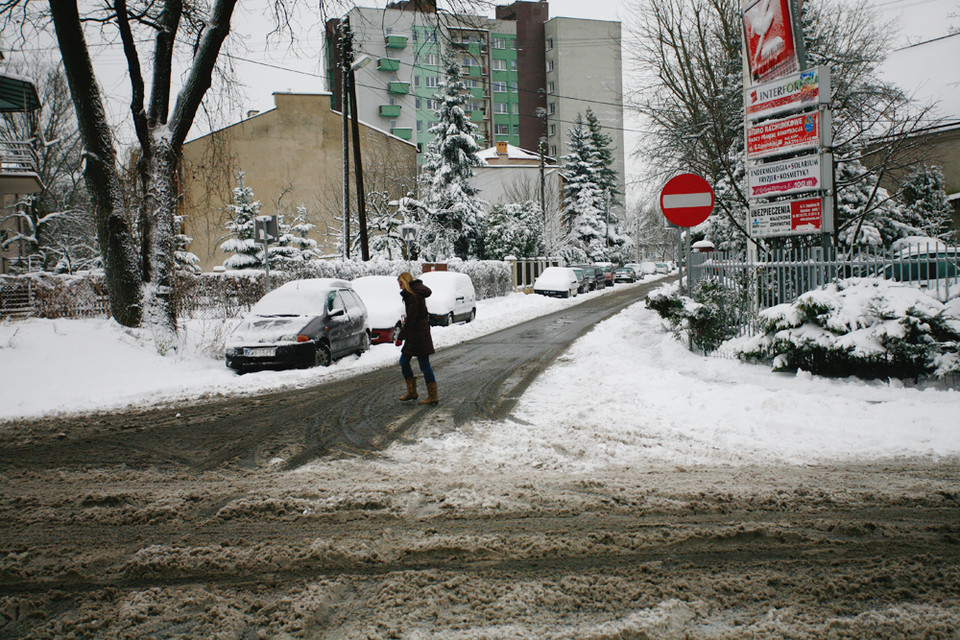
[[769, 37]]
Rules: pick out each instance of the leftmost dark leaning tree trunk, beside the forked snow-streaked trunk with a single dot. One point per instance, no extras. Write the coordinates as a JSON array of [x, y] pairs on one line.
[[117, 240]]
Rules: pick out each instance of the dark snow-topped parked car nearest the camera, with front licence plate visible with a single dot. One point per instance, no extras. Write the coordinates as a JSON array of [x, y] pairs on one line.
[[300, 324]]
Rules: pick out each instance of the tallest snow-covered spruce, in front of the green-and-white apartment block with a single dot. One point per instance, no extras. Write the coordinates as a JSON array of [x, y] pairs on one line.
[[455, 224]]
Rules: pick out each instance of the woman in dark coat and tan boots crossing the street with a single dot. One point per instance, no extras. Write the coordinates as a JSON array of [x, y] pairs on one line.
[[415, 336]]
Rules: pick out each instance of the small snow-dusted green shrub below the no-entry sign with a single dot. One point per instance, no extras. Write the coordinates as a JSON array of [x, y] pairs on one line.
[[709, 316]]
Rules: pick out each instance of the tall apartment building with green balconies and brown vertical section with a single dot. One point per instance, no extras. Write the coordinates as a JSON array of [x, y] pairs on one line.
[[527, 74]]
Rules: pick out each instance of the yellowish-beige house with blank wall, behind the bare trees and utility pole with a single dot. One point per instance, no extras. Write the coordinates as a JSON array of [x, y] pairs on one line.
[[291, 157]]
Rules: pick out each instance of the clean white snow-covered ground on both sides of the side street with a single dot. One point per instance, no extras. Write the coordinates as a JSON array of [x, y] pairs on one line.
[[656, 402]]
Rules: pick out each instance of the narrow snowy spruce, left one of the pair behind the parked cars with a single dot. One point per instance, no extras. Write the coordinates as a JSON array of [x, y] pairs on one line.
[[583, 199]]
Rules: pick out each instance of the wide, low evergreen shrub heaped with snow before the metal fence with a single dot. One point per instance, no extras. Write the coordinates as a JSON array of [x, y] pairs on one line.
[[865, 327]]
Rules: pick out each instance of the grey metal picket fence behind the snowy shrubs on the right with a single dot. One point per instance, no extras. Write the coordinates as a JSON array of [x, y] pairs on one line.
[[781, 276]]
